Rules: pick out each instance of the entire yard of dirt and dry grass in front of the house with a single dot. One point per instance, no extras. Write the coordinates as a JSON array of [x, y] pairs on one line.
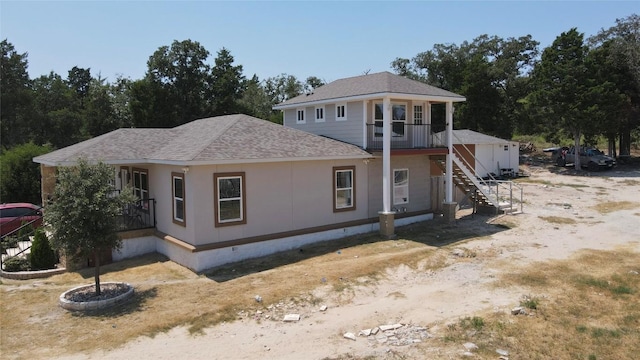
[[559, 280]]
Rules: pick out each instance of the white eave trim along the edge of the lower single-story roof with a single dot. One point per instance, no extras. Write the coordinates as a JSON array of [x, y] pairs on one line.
[[206, 162]]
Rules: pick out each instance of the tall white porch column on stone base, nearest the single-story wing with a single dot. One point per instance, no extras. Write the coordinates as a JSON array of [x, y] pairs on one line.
[[386, 215]]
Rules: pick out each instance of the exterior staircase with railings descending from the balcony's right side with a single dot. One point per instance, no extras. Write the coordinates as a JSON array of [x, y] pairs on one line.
[[485, 194]]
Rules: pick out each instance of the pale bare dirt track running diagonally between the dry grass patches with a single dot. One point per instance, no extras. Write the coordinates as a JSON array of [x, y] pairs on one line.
[[563, 212]]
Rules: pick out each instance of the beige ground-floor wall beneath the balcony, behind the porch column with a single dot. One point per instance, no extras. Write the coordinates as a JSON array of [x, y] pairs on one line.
[[419, 183]]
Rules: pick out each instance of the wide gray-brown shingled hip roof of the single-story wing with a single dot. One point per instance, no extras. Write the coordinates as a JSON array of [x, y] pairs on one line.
[[222, 139]]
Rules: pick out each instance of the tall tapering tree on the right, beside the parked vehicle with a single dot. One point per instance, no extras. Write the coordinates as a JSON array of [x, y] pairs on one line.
[[563, 93]]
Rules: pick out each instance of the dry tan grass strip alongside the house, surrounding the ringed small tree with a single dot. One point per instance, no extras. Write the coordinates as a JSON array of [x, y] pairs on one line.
[[168, 295]]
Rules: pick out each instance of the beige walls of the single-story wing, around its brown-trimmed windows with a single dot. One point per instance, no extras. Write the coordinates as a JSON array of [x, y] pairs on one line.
[[280, 197]]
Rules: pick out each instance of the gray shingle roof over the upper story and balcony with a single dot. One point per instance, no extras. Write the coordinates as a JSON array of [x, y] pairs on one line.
[[371, 84]]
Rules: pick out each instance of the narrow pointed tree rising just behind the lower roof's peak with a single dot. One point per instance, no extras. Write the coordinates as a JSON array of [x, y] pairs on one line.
[[227, 84]]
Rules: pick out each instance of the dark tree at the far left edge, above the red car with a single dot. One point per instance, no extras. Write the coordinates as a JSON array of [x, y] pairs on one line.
[[14, 95]]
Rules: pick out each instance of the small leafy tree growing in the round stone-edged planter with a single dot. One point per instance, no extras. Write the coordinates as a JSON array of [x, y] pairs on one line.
[[83, 213]]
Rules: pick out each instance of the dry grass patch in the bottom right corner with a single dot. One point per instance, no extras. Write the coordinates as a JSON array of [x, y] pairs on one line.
[[587, 307]]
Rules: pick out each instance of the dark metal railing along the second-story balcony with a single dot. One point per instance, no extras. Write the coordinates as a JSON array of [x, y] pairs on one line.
[[403, 136]]
